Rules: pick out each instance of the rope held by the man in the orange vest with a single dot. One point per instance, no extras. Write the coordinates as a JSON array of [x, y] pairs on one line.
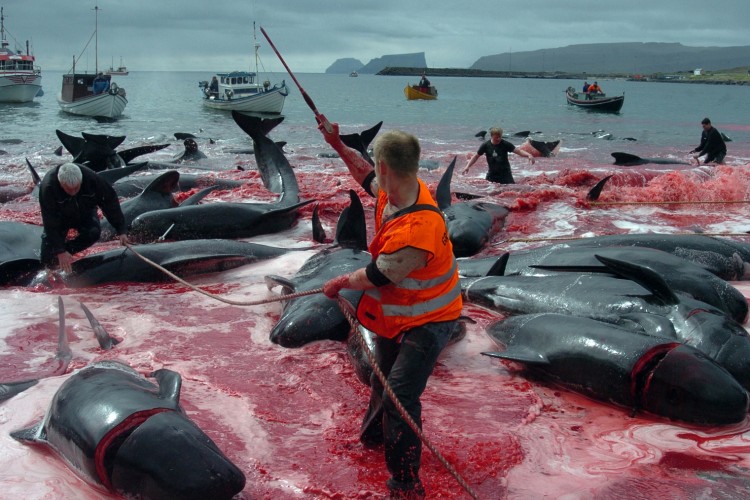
[[346, 309]]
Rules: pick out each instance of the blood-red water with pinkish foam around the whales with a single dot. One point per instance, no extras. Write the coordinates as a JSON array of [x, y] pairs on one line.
[[289, 418]]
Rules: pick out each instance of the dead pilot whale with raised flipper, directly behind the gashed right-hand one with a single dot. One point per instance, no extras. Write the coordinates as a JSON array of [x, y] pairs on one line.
[[638, 298]]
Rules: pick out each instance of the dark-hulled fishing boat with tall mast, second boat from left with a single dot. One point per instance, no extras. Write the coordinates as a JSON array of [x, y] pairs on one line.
[[88, 94]]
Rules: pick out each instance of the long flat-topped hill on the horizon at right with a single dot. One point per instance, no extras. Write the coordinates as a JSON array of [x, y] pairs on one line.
[[628, 58]]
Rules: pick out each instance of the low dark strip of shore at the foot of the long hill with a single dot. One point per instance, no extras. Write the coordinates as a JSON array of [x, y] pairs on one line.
[[722, 79]]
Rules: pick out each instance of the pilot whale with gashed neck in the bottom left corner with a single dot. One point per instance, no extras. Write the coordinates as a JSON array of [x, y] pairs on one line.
[[122, 431]]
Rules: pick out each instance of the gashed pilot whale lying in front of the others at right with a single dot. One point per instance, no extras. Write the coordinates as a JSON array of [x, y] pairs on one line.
[[613, 364]]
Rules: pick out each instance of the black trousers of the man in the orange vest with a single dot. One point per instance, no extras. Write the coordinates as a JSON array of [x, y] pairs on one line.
[[407, 365]]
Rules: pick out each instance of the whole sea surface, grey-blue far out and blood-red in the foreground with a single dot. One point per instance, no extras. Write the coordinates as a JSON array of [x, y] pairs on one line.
[[289, 418]]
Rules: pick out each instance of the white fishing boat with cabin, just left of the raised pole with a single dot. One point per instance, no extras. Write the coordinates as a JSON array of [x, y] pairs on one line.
[[239, 91]]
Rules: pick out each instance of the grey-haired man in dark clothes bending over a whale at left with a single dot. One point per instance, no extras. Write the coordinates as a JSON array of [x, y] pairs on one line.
[[69, 196]]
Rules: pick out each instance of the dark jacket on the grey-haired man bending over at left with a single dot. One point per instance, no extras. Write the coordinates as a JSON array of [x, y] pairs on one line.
[[60, 211]]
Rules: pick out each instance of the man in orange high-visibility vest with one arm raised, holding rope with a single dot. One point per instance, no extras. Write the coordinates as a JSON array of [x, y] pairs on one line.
[[412, 296]]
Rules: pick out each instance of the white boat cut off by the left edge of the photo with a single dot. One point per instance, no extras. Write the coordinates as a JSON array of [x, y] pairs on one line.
[[20, 80]]
